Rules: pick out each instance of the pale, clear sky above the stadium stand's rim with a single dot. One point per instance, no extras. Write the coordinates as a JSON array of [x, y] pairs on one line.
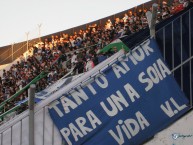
[[18, 17]]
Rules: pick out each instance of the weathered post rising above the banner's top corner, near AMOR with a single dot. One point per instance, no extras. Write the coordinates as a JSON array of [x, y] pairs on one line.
[[151, 17]]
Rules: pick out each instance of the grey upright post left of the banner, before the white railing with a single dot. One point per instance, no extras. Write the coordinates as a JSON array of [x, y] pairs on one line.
[[31, 95]]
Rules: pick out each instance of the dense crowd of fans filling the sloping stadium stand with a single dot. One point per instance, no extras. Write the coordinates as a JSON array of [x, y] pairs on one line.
[[61, 54]]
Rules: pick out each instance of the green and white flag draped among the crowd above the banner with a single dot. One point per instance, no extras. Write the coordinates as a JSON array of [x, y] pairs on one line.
[[114, 45]]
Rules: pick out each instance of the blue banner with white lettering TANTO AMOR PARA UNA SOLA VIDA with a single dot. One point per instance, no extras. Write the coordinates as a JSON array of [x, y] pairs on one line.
[[127, 103]]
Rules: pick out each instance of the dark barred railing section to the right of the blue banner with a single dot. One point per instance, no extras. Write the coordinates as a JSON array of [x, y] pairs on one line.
[[177, 36]]
